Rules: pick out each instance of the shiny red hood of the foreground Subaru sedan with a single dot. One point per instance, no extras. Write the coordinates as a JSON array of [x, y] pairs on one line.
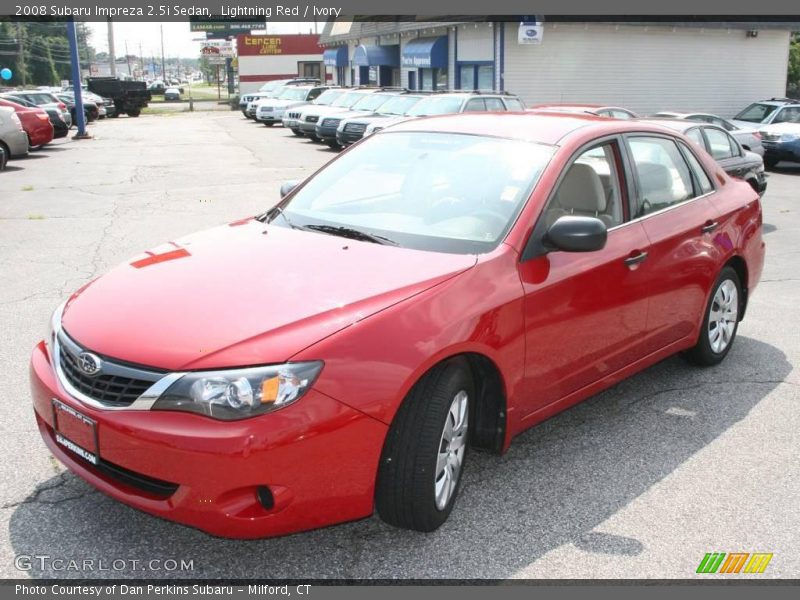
[[245, 294]]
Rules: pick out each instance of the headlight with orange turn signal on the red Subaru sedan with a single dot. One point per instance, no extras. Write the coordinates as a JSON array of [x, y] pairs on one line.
[[239, 393]]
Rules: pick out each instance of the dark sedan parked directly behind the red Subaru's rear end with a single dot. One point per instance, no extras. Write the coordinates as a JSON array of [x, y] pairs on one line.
[[724, 148]]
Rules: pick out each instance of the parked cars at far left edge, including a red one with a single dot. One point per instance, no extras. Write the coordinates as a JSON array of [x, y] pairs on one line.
[[30, 119]]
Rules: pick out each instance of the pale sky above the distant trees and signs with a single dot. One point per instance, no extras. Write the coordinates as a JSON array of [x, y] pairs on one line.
[[179, 42]]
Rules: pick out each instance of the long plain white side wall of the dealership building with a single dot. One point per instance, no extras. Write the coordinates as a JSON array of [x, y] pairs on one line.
[[647, 69]]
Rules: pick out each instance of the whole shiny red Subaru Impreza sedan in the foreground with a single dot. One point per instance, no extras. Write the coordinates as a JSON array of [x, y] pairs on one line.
[[442, 285]]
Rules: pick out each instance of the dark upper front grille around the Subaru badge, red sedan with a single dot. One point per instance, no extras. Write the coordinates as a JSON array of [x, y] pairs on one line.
[[115, 385]]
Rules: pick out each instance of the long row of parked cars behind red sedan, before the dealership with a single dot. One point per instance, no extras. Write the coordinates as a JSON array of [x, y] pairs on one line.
[[761, 135]]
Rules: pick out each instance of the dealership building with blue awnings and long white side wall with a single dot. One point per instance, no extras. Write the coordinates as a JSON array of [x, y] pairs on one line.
[[710, 66]]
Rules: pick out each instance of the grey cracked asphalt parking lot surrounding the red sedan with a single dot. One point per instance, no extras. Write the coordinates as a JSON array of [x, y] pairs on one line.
[[638, 482]]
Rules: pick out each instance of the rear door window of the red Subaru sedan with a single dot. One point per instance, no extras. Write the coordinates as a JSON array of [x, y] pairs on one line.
[[662, 174]]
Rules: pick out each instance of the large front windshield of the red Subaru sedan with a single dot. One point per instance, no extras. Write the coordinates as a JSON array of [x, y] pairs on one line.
[[443, 192]]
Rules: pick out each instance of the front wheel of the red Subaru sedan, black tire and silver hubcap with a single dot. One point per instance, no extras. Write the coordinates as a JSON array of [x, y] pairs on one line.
[[425, 450]]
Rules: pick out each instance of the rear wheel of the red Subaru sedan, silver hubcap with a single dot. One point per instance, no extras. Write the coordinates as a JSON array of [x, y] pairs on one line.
[[721, 321]]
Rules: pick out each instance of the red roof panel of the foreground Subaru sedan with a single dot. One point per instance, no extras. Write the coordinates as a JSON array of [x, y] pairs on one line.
[[542, 127]]
